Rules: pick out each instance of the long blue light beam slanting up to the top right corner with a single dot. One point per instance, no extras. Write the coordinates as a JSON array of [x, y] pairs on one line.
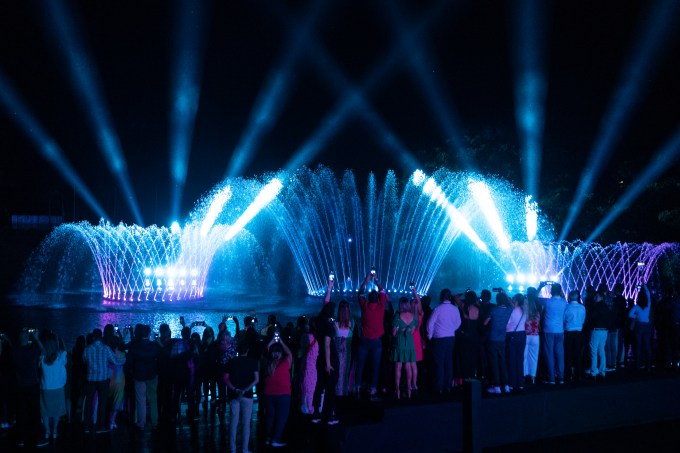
[[637, 76]]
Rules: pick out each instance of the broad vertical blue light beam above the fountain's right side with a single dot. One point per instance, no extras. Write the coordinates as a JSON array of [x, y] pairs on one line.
[[530, 86]]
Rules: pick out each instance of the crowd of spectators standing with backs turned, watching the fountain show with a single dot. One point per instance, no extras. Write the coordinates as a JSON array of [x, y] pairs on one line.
[[363, 350]]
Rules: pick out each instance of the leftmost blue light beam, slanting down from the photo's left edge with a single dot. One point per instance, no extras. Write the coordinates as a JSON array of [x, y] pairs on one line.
[[20, 114]]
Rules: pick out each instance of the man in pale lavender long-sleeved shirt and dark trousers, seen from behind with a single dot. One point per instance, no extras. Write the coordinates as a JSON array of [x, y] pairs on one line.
[[441, 330]]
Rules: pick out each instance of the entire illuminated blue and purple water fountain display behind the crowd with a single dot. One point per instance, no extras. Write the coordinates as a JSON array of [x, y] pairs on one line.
[[476, 231]]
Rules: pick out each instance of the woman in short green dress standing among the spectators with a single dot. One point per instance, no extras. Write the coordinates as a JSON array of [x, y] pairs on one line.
[[404, 352]]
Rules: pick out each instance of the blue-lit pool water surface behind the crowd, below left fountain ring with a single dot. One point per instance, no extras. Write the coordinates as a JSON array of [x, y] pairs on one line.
[[70, 315]]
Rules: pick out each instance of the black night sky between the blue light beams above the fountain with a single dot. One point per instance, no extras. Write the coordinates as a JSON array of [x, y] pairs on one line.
[[468, 49]]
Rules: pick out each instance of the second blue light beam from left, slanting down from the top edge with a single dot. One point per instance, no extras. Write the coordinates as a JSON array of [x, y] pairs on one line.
[[83, 79]]
